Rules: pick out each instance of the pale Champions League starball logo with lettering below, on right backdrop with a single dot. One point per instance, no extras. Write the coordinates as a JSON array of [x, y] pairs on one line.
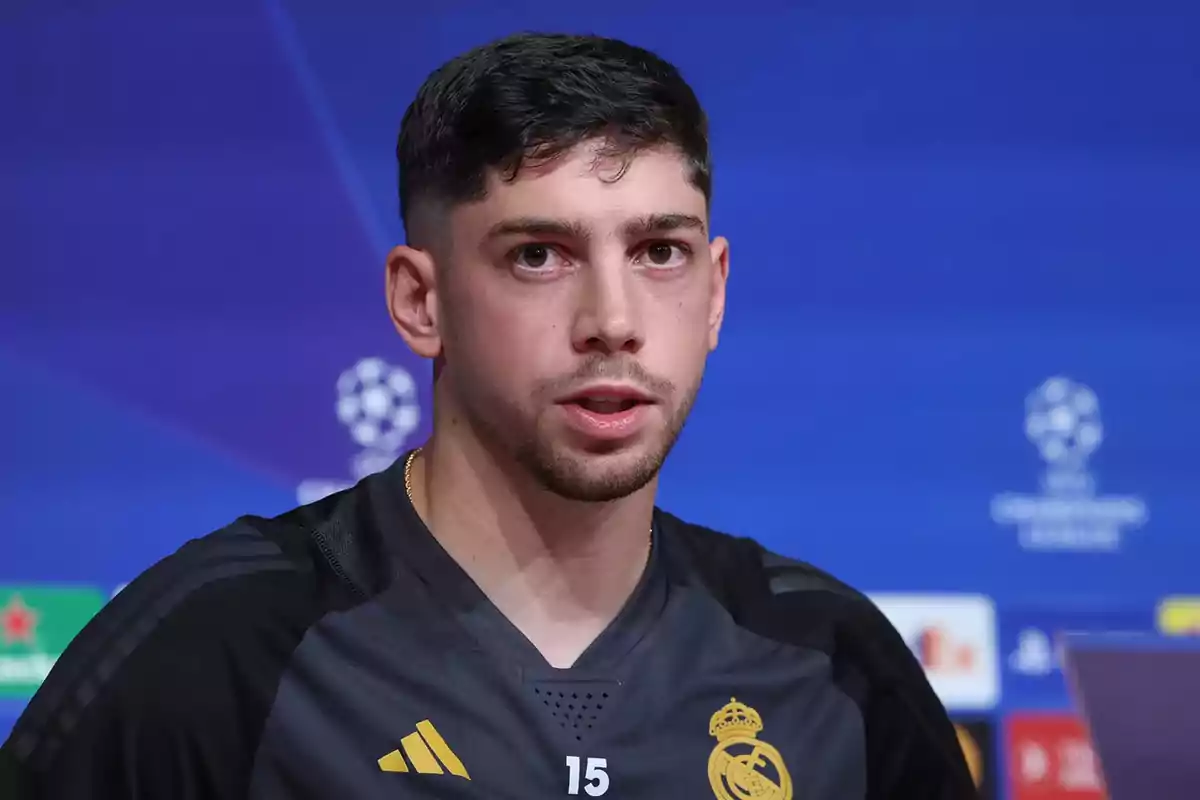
[[1064, 423]]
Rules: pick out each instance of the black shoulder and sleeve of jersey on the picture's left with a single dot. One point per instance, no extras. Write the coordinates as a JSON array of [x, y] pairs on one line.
[[190, 652]]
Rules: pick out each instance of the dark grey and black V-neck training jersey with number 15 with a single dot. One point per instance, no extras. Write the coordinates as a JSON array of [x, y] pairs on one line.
[[339, 652]]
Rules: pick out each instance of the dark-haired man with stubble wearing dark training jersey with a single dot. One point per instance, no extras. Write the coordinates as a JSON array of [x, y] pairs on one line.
[[505, 613]]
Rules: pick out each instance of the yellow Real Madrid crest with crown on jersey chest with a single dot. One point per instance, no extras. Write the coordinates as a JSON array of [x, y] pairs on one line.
[[741, 767]]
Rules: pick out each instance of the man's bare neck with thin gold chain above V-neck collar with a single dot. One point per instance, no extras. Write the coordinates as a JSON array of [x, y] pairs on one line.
[[560, 570]]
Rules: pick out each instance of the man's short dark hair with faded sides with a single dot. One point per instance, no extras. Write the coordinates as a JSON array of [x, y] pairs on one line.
[[531, 98]]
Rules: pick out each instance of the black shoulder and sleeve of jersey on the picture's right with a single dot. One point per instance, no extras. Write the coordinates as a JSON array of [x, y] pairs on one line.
[[913, 749]]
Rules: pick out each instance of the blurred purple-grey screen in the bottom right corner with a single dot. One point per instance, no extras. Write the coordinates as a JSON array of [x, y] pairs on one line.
[[1141, 699]]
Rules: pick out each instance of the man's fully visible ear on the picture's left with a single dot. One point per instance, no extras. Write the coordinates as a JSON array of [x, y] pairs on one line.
[[413, 299]]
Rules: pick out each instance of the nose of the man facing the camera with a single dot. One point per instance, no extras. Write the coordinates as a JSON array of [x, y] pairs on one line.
[[608, 320]]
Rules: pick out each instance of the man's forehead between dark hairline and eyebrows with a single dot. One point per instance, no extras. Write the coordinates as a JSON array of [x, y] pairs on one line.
[[584, 185]]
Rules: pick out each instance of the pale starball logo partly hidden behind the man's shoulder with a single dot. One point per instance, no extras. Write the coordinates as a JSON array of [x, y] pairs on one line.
[[377, 404]]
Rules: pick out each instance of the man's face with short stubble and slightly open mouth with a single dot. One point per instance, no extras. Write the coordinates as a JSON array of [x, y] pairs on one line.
[[578, 306]]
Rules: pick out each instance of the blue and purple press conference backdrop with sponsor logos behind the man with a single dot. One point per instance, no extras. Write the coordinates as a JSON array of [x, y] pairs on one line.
[[962, 363]]
